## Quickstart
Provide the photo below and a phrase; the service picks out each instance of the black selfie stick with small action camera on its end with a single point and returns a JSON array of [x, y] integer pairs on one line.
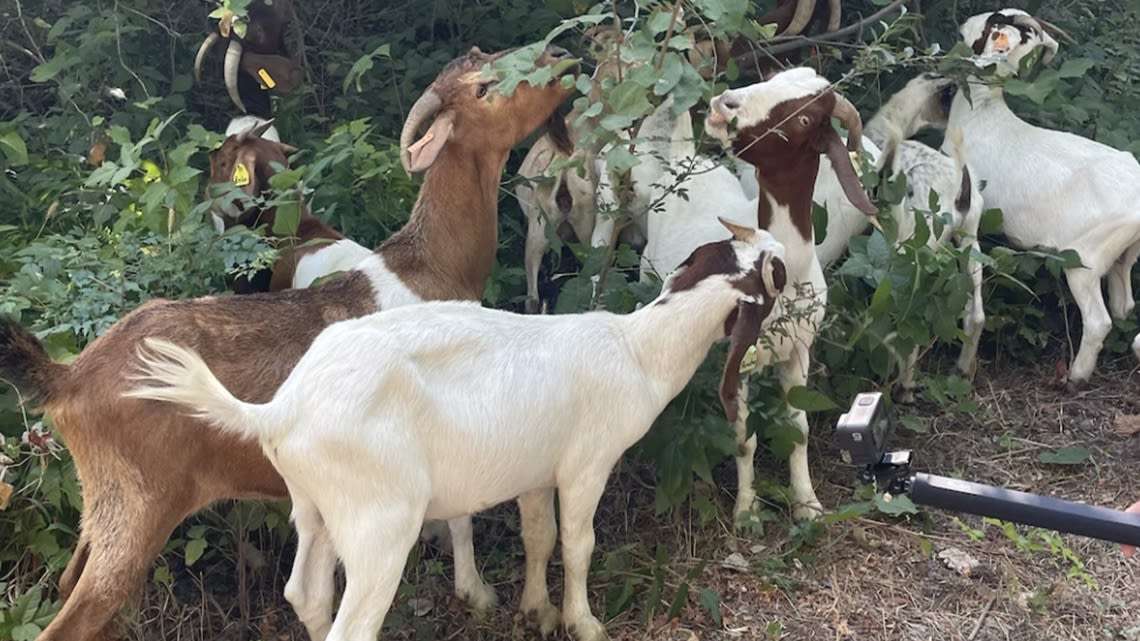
[[864, 433]]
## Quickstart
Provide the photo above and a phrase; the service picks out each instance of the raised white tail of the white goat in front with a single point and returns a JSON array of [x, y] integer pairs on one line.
[[184, 379]]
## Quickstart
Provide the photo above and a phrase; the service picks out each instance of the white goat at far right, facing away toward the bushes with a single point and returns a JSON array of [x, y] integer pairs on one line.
[[1056, 190]]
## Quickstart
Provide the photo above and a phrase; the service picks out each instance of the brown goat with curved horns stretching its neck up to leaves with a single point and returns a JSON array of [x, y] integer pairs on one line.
[[145, 468]]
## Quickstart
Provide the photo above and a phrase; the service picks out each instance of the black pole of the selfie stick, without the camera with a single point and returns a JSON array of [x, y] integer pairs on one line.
[[1023, 508]]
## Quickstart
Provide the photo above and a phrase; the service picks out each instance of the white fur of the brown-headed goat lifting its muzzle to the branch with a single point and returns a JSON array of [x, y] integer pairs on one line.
[[682, 224]]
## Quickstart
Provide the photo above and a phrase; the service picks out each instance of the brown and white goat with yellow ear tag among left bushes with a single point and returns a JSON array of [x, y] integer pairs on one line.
[[314, 250]]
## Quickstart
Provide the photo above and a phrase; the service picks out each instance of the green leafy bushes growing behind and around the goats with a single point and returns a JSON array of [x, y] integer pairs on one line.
[[83, 246]]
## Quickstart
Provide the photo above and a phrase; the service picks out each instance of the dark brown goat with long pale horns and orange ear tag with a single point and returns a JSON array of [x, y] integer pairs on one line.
[[262, 56]]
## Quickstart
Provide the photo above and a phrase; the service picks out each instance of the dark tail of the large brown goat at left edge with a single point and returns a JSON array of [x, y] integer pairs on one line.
[[26, 366]]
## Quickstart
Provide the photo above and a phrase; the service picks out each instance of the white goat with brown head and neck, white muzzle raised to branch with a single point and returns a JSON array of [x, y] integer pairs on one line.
[[788, 174]]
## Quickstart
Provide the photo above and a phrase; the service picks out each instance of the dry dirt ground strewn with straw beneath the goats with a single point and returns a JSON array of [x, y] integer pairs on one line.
[[868, 578]]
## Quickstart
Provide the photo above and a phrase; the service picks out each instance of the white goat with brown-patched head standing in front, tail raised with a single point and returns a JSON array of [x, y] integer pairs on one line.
[[365, 428]]
